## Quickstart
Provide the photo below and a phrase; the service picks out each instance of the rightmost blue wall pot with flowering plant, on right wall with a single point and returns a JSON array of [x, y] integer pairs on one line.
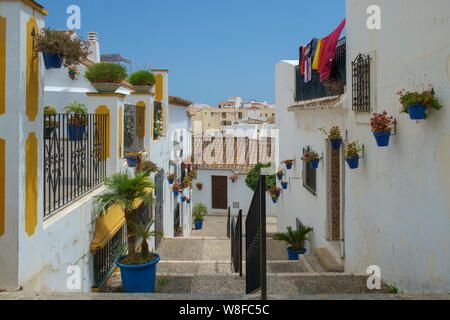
[[416, 104]]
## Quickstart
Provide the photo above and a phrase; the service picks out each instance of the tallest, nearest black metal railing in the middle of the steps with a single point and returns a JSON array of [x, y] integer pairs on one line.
[[255, 238]]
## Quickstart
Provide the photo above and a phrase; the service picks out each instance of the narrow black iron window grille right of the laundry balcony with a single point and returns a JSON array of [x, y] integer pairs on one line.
[[361, 83]]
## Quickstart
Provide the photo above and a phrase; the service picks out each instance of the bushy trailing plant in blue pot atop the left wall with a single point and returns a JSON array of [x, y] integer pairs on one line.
[[60, 47]]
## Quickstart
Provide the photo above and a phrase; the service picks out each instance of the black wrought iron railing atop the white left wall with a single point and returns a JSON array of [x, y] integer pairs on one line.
[[75, 153]]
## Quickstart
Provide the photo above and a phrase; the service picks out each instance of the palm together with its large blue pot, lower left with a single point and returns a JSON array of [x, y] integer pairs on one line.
[[138, 271]]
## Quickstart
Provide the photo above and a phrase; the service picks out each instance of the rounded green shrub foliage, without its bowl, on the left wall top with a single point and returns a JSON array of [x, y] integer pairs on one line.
[[106, 72]]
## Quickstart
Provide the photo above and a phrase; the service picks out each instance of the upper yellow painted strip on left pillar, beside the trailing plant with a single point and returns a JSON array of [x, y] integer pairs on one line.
[[32, 80]]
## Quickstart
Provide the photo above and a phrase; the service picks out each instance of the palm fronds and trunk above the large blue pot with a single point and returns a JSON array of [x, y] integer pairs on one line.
[[122, 189]]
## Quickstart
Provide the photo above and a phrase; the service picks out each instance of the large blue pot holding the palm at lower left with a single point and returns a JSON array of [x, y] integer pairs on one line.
[[138, 279]]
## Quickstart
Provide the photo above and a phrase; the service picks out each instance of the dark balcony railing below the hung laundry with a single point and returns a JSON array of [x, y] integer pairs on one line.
[[333, 86]]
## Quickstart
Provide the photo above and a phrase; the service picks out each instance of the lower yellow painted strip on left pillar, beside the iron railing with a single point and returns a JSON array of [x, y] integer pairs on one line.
[[31, 183]]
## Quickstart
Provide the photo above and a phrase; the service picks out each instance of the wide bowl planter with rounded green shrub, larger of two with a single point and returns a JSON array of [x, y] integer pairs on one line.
[[106, 76]]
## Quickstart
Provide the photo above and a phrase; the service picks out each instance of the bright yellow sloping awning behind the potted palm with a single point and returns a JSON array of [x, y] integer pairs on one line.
[[108, 224]]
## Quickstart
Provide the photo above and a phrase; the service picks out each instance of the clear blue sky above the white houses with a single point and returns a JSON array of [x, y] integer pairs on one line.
[[214, 49]]
